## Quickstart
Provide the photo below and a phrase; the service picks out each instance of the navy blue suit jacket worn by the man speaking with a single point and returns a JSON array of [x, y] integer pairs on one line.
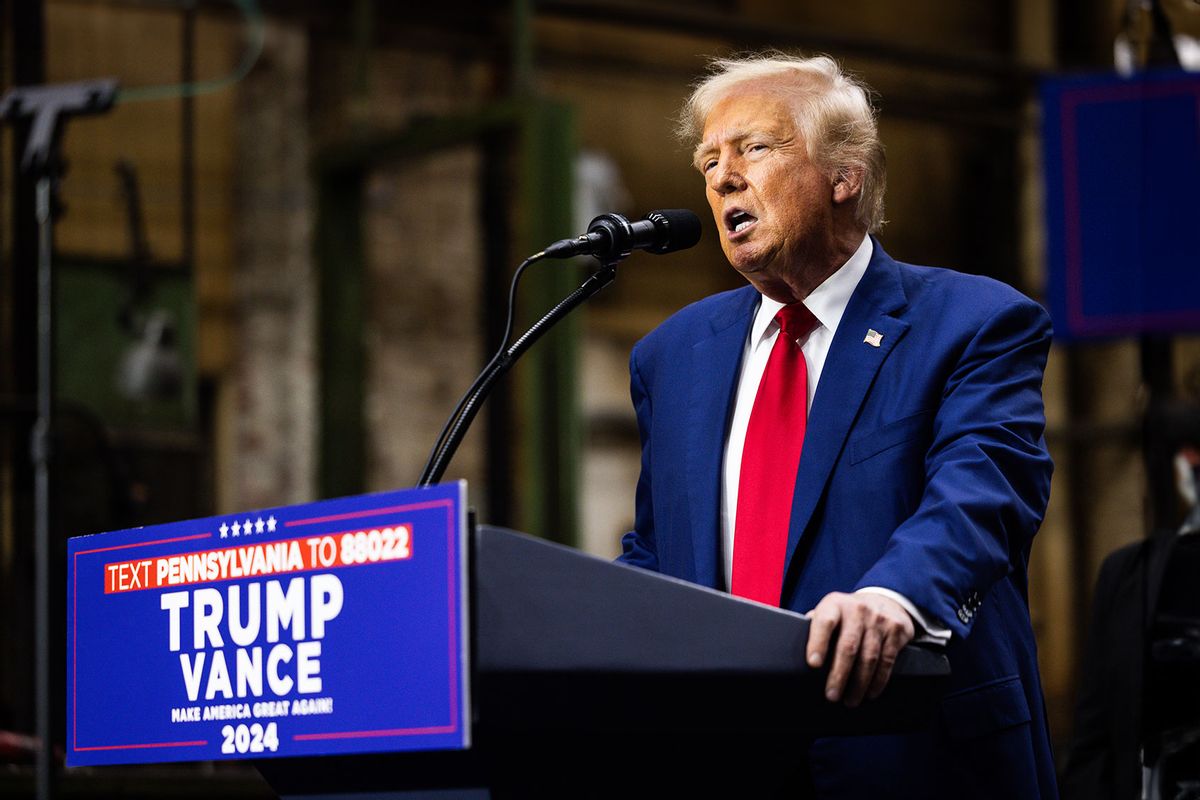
[[925, 471]]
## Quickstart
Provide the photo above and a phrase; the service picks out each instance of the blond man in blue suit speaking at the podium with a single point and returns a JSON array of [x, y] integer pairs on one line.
[[851, 437]]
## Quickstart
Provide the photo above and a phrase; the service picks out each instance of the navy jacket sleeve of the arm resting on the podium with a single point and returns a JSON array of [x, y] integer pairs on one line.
[[987, 474]]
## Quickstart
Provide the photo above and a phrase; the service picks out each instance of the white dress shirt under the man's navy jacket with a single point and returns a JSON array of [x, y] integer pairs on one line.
[[827, 303]]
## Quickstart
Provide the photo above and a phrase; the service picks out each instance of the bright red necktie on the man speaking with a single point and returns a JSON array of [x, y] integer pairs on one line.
[[770, 460]]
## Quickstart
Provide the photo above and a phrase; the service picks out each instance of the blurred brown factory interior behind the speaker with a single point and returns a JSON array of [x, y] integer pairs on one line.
[[284, 255]]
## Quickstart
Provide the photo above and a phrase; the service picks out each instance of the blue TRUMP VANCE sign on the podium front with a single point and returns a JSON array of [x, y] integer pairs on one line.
[[328, 628]]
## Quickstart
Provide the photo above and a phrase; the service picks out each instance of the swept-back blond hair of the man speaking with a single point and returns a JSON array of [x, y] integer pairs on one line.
[[833, 112]]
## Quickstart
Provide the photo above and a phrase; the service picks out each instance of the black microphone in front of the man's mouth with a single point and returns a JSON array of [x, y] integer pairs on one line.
[[611, 237]]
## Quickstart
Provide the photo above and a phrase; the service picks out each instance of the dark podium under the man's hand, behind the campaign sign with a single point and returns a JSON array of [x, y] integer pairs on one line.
[[597, 679]]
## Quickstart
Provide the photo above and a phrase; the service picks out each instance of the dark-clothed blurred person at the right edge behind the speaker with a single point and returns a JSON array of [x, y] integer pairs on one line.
[[1141, 672]]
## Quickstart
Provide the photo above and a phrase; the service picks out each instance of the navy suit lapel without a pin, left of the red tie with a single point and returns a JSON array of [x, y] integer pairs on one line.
[[716, 365]]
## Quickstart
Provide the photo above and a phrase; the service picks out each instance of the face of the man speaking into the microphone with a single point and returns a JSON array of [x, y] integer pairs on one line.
[[772, 206]]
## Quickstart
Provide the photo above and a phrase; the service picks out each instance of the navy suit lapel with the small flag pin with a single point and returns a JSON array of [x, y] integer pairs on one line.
[[847, 380]]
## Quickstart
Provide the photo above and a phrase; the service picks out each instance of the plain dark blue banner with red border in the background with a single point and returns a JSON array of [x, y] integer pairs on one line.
[[1123, 179]]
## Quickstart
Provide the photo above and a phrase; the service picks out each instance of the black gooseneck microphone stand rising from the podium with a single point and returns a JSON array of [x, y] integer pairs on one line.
[[470, 407]]
